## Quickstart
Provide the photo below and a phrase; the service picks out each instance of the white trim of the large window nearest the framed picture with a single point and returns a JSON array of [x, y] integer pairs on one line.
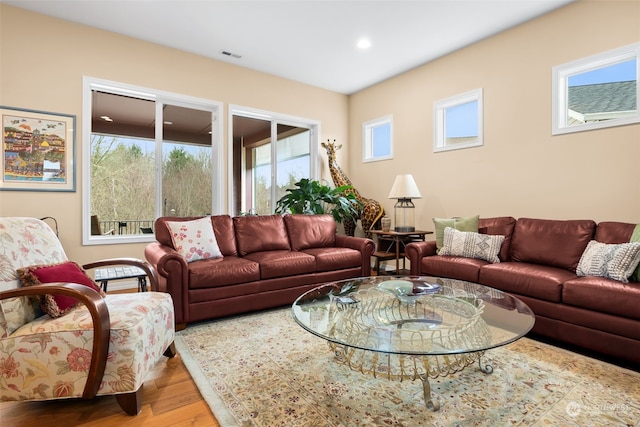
[[89, 84]]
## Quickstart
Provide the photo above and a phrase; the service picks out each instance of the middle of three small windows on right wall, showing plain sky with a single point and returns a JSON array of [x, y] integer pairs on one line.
[[458, 122]]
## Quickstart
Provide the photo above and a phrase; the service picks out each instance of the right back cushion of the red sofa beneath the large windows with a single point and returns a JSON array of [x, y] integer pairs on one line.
[[310, 231]]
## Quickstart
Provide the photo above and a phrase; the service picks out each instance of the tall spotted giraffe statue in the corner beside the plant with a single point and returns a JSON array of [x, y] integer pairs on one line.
[[370, 211]]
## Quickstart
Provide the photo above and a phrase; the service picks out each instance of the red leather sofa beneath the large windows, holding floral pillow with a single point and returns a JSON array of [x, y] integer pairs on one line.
[[268, 261]]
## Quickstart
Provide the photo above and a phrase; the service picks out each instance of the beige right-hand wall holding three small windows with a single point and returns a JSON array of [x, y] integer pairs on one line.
[[522, 170]]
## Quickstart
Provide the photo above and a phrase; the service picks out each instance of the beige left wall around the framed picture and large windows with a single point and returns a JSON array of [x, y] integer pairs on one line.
[[43, 61]]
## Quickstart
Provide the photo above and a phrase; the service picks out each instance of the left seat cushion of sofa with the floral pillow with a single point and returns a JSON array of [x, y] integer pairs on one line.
[[218, 272]]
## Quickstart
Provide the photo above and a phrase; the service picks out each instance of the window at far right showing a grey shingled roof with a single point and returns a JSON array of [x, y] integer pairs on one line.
[[596, 92]]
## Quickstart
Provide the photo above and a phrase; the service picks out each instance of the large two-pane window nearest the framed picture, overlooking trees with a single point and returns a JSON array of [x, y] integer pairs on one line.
[[146, 154]]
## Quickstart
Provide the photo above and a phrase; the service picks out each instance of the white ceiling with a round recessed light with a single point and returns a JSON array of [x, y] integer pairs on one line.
[[310, 41]]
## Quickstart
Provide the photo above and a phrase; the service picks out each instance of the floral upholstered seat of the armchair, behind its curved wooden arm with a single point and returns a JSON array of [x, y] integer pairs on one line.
[[57, 350]]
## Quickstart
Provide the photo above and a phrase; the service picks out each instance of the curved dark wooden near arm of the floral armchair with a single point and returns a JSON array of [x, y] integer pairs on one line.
[[101, 323]]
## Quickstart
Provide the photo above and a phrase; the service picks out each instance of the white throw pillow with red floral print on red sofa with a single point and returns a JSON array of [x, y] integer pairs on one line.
[[195, 239]]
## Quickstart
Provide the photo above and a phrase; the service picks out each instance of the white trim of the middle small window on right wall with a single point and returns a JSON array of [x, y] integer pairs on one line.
[[439, 117]]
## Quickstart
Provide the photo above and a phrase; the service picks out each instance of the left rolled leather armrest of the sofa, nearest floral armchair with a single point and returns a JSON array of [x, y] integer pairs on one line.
[[173, 276]]
